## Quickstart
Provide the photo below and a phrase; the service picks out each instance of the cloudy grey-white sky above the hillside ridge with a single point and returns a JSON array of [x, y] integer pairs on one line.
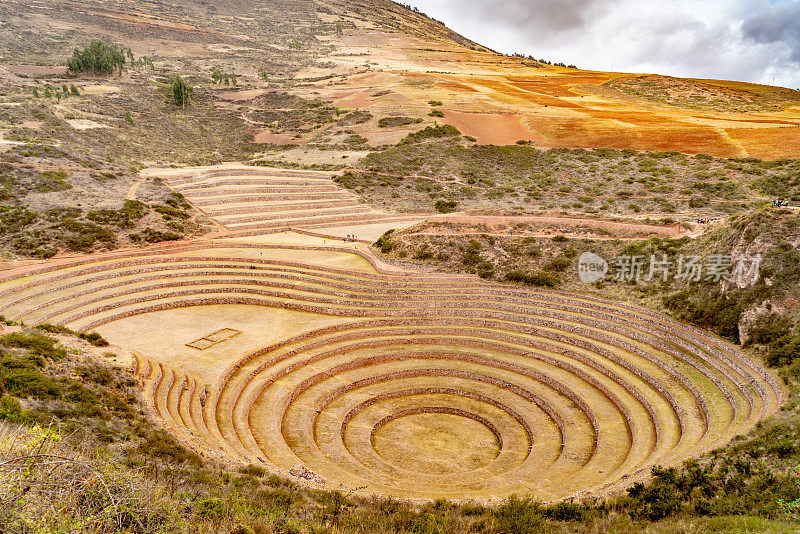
[[750, 40]]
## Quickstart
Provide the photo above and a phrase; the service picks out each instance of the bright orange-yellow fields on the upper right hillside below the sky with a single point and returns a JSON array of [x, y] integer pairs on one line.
[[501, 100]]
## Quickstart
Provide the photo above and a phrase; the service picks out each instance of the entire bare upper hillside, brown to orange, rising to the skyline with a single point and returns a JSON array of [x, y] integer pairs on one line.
[[348, 52]]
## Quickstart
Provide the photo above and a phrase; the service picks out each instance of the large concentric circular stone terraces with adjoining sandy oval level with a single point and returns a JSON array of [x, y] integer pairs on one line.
[[408, 384]]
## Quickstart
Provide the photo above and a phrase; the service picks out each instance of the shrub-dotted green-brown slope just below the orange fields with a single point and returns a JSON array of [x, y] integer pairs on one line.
[[524, 179]]
